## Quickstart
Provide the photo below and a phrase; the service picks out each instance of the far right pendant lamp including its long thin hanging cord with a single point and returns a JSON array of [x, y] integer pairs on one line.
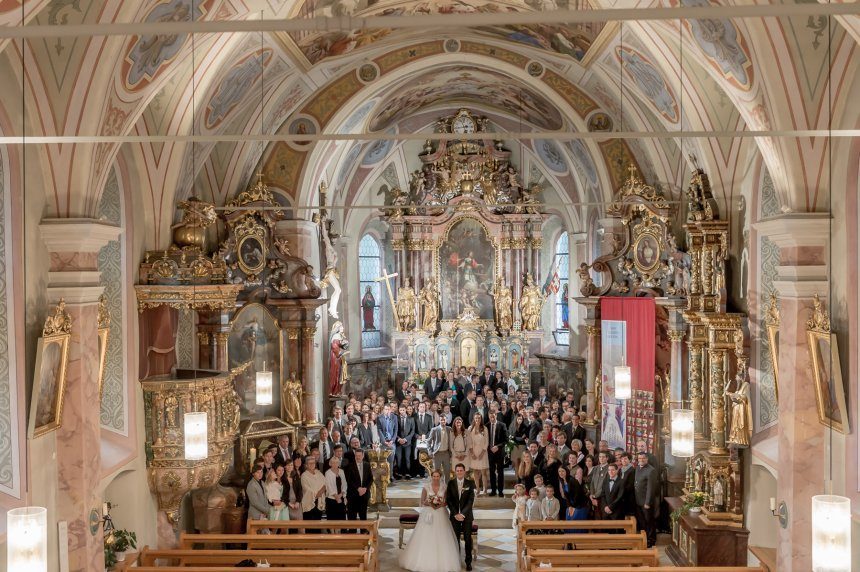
[[831, 514]]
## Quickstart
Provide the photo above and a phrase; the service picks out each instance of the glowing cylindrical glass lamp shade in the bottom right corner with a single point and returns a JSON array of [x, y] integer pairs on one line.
[[831, 534]]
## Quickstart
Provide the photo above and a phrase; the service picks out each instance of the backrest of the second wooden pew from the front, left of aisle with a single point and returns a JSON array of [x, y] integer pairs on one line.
[[279, 541]]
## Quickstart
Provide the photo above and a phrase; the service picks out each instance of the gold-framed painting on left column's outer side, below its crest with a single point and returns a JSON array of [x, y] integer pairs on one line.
[[49, 385]]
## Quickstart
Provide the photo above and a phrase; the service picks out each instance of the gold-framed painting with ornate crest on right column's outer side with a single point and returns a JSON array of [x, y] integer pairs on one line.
[[827, 371]]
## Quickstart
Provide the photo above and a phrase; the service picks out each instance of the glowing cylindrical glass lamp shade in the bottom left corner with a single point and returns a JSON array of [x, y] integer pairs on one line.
[[27, 539]]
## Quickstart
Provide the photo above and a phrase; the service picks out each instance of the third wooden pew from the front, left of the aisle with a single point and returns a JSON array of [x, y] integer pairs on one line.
[[306, 559]]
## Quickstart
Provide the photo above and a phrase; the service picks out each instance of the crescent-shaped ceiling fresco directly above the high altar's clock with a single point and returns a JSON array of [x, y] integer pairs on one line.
[[468, 85]]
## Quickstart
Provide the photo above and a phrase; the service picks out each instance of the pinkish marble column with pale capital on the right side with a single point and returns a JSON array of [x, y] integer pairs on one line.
[[802, 240]]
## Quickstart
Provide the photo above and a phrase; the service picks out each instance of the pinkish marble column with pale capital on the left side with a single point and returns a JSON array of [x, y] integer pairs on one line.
[[73, 245]]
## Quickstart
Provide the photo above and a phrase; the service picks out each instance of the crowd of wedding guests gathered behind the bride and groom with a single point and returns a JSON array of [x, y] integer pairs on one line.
[[486, 421]]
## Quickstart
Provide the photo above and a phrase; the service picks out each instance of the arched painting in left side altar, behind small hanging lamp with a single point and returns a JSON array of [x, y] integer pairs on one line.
[[255, 337]]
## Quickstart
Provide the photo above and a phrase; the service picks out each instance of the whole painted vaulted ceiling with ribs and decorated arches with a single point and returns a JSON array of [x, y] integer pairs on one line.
[[719, 74]]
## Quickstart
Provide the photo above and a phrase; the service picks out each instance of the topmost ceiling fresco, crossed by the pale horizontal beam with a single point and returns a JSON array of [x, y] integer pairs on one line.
[[570, 40]]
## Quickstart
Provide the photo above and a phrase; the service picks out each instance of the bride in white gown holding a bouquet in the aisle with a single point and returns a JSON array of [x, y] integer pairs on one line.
[[433, 546]]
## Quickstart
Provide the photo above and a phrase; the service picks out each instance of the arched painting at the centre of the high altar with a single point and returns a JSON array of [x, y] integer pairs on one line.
[[467, 271]]
